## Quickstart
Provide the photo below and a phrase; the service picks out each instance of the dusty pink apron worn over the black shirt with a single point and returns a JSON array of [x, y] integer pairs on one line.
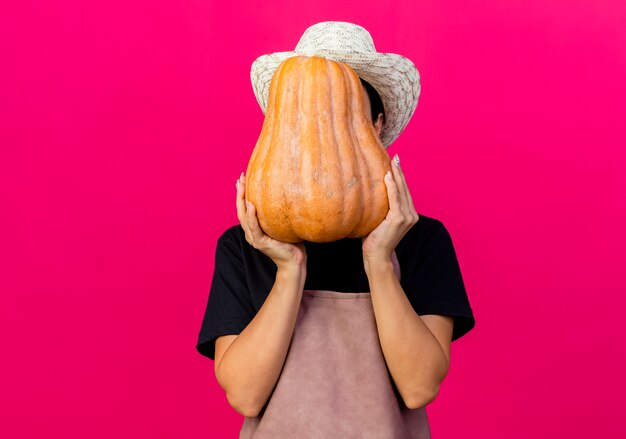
[[335, 382]]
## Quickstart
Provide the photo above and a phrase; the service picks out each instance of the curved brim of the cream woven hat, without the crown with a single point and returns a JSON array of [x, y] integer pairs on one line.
[[395, 78]]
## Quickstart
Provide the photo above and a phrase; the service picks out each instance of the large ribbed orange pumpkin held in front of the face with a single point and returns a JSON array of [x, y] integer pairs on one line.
[[316, 171]]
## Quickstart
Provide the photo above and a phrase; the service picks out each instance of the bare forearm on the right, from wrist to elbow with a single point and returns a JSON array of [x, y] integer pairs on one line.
[[413, 354]]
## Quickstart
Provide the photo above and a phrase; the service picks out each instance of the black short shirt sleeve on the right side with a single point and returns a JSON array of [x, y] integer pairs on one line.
[[433, 280]]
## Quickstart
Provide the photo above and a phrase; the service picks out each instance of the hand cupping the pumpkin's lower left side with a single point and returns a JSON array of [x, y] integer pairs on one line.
[[283, 254]]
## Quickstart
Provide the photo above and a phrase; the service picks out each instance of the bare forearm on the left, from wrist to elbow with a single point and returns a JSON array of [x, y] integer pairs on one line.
[[252, 363]]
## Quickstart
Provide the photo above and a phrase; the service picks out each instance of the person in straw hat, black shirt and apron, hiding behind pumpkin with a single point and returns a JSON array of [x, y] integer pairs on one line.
[[343, 339]]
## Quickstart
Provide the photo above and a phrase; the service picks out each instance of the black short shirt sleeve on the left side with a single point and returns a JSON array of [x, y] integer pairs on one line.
[[229, 307]]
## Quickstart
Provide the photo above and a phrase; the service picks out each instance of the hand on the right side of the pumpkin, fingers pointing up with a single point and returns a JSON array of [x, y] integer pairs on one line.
[[382, 241]]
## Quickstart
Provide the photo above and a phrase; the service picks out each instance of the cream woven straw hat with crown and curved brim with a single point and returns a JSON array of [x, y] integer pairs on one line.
[[395, 78]]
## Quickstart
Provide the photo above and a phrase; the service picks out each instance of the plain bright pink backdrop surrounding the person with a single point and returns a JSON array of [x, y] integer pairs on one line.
[[125, 124]]
